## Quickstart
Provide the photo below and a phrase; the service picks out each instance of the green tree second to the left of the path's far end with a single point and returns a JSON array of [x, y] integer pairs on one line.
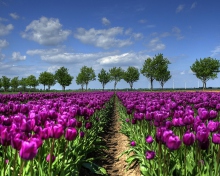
[[86, 75]]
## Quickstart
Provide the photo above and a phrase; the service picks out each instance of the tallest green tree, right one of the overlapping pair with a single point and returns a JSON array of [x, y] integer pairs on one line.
[[162, 74]]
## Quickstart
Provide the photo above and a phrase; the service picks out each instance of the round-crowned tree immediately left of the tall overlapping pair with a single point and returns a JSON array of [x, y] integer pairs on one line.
[[131, 75]]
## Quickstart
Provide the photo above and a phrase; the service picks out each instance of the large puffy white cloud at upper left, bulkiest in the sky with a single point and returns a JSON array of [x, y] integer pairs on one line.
[[46, 31]]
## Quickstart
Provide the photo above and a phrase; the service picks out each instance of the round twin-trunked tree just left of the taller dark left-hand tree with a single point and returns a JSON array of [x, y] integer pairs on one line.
[[46, 78]]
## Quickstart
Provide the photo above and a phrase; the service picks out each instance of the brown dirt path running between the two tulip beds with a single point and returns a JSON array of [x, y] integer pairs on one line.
[[116, 143]]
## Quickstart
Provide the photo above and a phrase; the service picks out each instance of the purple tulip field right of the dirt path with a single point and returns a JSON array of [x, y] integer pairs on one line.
[[174, 133]]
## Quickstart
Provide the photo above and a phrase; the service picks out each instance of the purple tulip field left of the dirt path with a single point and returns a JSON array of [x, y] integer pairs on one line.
[[51, 134]]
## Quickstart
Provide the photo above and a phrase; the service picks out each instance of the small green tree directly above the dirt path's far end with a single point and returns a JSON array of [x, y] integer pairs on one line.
[[116, 74]]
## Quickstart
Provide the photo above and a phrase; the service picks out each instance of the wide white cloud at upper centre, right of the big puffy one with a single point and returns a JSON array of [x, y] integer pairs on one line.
[[102, 38]]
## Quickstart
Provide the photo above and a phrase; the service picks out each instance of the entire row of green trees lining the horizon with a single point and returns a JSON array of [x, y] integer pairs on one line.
[[155, 68]]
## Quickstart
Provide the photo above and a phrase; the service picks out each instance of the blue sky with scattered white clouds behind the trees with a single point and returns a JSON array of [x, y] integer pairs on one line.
[[44, 35]]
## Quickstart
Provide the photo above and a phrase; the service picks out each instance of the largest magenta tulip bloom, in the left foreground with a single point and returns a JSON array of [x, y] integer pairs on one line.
[[28, 150]]
